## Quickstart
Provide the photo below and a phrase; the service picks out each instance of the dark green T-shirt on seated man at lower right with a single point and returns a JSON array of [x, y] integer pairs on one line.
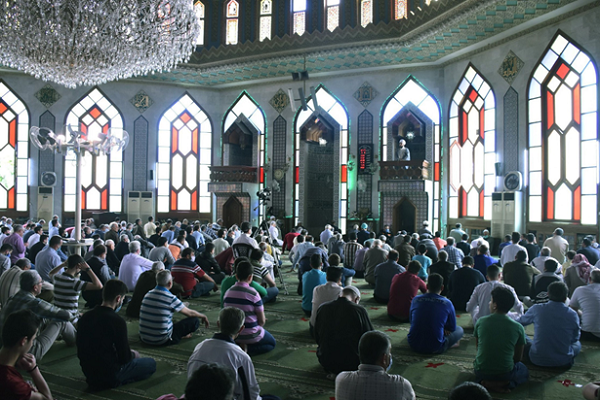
[[497, 336]]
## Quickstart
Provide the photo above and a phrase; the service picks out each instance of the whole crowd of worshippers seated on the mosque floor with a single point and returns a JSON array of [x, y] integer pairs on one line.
[[156, 266]]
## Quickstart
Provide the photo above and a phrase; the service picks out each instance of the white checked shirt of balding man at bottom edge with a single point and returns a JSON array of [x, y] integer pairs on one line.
[[371, 382]]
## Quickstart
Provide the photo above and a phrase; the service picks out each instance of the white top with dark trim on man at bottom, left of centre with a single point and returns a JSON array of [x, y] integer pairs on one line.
[[230, 355]]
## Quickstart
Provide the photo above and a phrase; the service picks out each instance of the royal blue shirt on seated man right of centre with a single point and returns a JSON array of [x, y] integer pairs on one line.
[[430, 314]]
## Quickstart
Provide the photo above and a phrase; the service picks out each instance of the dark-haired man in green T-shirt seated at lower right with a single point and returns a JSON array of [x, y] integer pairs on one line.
[[500, 342]]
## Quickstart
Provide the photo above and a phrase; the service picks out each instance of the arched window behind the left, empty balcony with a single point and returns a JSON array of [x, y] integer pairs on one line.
[[246, 107]]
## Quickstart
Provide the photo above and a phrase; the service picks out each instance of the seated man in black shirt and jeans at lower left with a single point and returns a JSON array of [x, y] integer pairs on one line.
[[103, 349]]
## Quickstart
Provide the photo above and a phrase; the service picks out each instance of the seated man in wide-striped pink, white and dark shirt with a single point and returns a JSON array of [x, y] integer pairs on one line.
[[242, 296]]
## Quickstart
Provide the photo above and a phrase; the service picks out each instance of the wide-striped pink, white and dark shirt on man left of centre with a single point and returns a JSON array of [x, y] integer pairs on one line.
[[242, 296]]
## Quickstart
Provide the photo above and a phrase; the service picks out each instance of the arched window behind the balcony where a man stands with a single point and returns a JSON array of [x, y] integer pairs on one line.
[[411, 95]]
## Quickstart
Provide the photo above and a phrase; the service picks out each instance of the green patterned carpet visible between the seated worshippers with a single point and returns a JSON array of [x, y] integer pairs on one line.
[[292, 371]]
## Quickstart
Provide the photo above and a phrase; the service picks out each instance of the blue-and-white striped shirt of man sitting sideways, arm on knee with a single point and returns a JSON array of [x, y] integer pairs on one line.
[[156, 315]]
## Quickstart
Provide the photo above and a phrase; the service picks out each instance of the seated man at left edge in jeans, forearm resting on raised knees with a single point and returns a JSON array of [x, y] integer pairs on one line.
[[55, 321]]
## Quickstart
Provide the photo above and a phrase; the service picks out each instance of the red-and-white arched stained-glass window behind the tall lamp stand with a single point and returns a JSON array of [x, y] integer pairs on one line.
[[101, 175]]
